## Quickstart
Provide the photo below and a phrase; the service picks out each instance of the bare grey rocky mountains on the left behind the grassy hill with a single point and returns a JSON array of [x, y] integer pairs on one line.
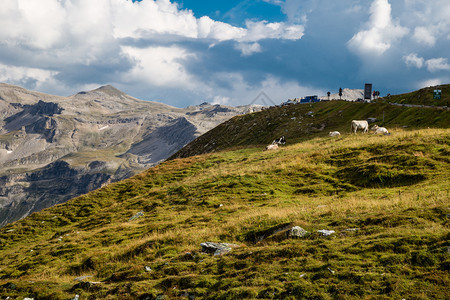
[[55, 148]]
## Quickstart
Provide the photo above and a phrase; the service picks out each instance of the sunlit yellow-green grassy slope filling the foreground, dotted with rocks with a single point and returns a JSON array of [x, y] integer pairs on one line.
[[386, 198]]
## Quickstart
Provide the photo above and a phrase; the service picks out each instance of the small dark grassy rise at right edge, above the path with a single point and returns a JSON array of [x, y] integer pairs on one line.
[[422, 97]]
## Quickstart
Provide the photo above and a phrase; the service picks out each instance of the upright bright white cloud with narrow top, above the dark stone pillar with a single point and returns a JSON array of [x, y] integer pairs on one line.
[[380, 33]]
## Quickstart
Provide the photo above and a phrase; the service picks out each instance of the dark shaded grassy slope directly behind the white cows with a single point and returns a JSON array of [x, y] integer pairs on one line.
[[302, 122]]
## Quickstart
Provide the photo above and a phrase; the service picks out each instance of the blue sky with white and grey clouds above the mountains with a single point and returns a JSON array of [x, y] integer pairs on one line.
[[184, 52]]
